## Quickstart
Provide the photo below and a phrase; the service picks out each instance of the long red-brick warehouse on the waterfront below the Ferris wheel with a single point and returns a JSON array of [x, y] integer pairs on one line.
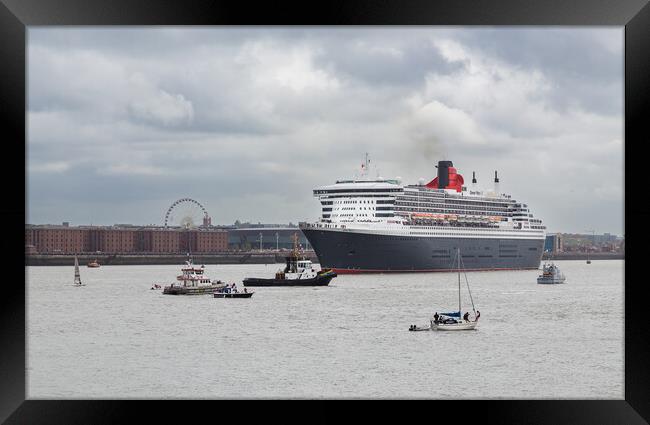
[[49, 239]]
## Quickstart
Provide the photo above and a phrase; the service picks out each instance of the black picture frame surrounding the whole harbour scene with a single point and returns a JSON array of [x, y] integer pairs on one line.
[[17, 15]]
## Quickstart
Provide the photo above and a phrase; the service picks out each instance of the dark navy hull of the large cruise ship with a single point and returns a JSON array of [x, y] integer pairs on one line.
[[348, 252]]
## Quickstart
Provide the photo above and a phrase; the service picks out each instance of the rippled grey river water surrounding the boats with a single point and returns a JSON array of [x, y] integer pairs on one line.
[[116, 338]]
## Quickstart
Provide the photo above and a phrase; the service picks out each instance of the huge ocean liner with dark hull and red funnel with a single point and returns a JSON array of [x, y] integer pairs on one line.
[[381, 225]]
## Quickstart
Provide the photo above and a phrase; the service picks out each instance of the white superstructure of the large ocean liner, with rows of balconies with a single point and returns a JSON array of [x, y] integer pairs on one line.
[[387, 206]]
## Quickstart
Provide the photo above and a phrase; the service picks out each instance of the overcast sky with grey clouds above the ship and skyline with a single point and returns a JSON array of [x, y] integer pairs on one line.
[[248, 120]]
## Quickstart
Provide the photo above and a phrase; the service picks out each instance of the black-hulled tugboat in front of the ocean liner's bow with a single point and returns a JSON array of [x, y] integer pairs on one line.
[[299, 271]]
